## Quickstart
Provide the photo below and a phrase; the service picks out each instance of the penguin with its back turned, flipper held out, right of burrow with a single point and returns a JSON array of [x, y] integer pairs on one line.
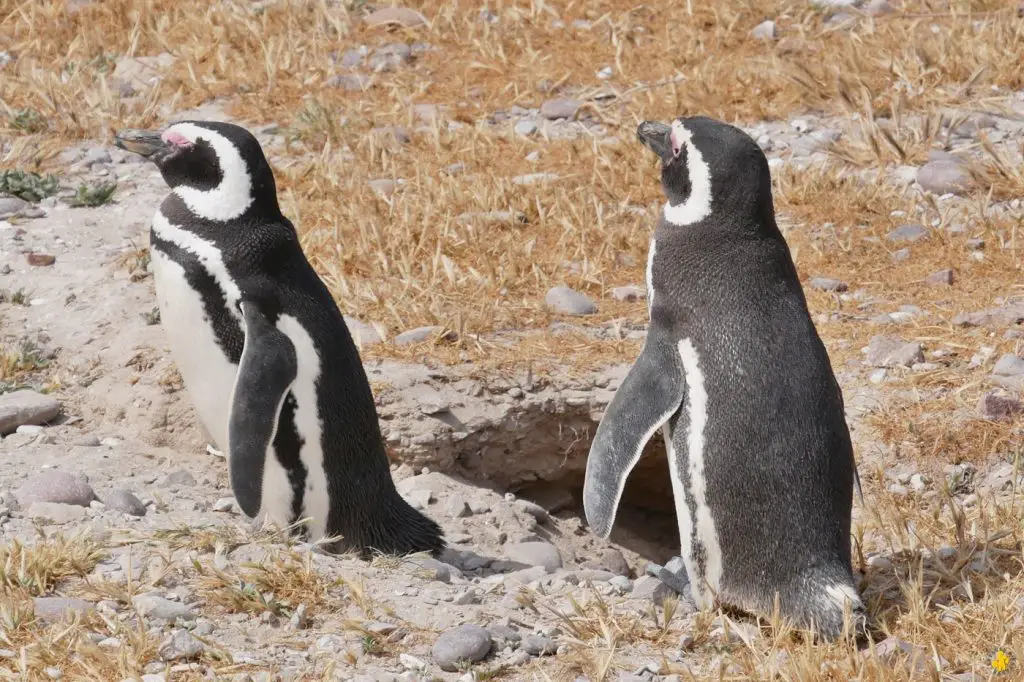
[[735, 375]]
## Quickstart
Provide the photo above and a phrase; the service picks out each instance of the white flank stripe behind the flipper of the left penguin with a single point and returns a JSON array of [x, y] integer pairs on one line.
[[316, 499]]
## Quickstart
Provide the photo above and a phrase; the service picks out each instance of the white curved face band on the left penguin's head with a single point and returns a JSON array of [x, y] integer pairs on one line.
[[234, 196]]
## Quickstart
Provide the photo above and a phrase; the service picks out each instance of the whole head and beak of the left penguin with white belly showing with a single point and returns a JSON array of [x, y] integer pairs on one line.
[[218, 169]]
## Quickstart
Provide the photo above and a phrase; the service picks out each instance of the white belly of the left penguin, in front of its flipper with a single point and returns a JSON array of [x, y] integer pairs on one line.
[[206, 371]]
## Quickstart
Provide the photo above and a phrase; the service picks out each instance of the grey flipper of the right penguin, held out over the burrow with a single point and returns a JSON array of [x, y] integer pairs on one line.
[[653, 392]]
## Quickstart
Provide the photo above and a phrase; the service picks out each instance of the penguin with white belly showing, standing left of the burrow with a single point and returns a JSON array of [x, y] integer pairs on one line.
[[264, 350]]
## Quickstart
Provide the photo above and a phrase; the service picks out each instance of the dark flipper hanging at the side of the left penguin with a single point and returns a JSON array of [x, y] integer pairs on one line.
[[267, 370]]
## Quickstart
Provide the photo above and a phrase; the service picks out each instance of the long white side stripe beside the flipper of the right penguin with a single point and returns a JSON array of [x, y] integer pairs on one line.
[[697, 406]]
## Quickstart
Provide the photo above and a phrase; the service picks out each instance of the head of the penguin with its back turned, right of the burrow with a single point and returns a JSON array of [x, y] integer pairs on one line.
[[710, 167]]
